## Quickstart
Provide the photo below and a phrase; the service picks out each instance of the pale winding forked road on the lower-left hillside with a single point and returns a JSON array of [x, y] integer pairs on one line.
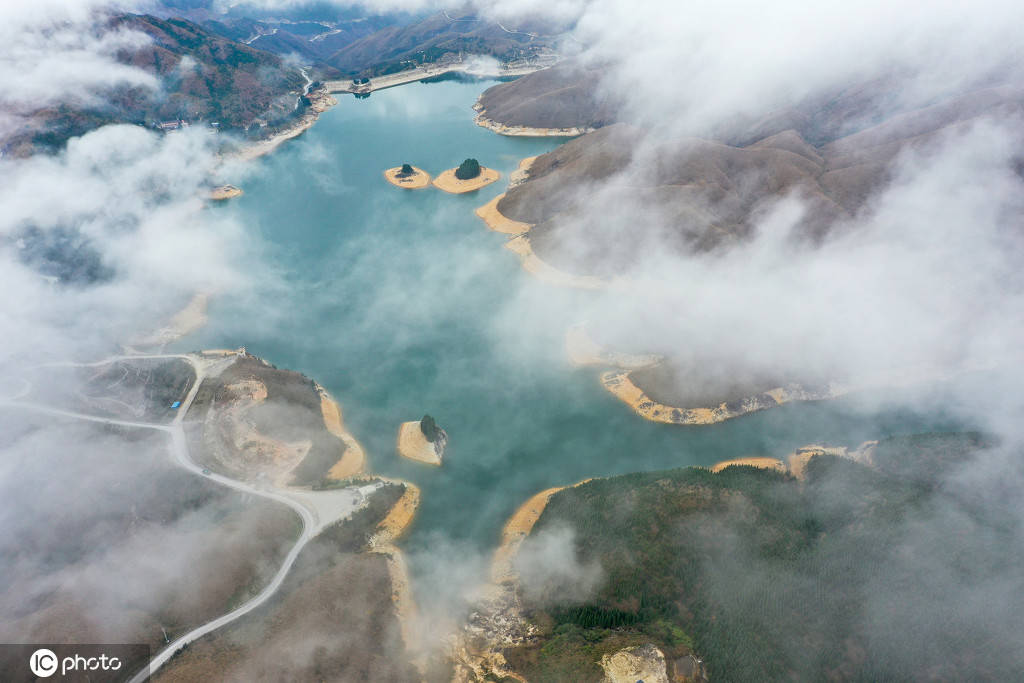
[[304, 504]]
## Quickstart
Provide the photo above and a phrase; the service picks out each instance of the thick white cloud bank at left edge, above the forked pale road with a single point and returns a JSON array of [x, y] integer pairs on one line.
[[130, 200]]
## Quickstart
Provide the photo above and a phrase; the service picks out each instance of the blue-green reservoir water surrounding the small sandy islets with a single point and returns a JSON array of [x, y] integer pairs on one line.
[[402, 303]]
